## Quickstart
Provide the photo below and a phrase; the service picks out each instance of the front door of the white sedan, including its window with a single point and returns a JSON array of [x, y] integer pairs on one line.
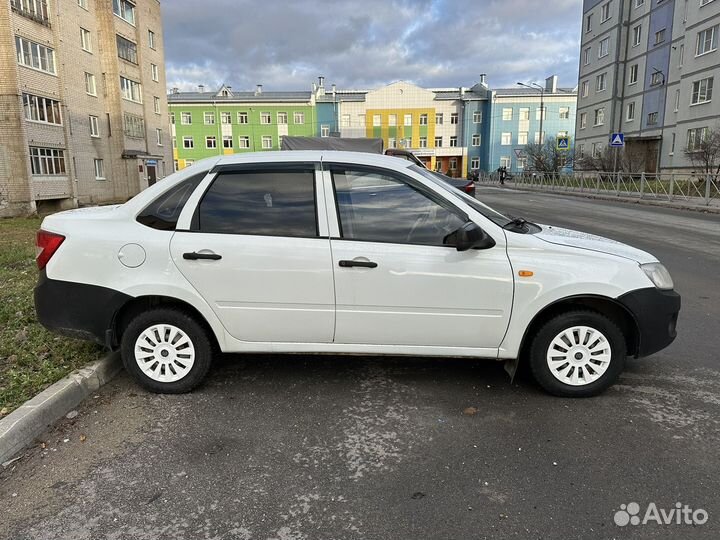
[[397, 281]]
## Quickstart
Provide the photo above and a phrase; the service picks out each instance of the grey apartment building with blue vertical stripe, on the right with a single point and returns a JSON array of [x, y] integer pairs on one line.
[[647, 69]]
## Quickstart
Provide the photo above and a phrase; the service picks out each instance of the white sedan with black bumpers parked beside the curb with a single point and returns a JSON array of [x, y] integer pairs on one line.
[[342, 252]]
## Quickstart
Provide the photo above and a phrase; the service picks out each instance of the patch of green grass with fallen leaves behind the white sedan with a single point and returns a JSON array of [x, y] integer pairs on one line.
[[31, 358]]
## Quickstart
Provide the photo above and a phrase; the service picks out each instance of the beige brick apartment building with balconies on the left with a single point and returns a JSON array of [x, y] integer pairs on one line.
[[83, 100]]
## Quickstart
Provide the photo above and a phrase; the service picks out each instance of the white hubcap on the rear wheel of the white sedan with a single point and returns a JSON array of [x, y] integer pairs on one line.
[[164, 353]]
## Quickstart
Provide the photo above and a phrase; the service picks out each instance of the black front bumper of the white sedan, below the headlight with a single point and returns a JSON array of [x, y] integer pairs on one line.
[[655, 313]]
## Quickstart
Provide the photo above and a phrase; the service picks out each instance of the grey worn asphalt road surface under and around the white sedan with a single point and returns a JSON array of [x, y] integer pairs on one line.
[[322, 447]]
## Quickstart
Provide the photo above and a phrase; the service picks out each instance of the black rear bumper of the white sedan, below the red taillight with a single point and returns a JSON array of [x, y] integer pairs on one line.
[[77, 310]]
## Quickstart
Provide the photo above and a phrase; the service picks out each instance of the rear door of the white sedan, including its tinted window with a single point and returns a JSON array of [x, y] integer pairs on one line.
[[254, 250]]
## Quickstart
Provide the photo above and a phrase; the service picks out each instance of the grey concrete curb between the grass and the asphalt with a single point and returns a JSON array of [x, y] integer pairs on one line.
[[20, 427]]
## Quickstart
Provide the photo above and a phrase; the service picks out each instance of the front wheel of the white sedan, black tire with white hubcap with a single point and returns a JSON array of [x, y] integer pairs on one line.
[[577, 354]]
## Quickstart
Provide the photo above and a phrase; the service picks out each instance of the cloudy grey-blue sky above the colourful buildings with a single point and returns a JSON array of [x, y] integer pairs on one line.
[[285, 45]]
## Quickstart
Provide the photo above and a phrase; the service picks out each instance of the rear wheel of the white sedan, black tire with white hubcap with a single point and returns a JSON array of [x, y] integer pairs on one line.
[[166, 351]]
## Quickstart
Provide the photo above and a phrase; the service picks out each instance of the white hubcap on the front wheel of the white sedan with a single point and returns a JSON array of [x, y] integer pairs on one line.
[[579, 355]]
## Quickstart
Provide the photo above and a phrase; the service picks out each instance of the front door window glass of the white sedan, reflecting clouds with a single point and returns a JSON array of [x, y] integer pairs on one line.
[[378, 207]]
